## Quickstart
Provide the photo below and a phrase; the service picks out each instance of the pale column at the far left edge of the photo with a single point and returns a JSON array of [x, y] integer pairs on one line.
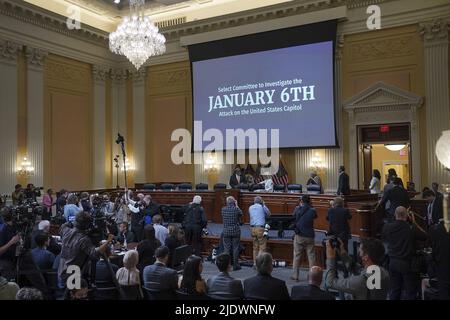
[[8, 111]]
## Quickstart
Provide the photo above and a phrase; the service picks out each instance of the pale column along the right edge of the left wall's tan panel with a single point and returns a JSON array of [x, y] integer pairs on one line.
[[99, 75]]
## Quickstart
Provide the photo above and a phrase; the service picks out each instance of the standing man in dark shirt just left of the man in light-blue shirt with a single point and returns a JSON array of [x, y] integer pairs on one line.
[[231, 215]]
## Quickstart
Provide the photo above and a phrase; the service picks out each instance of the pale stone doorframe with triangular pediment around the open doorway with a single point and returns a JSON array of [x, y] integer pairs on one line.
[[383, 104]]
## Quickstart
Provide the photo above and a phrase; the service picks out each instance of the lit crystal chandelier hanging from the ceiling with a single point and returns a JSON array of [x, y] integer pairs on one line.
[[137, 37]]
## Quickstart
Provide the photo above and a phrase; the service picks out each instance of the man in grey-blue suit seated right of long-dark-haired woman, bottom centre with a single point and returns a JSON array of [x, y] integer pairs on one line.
[[223, 286]]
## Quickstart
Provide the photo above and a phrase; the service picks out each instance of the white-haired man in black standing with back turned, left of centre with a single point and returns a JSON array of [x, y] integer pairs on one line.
[[193, 224]]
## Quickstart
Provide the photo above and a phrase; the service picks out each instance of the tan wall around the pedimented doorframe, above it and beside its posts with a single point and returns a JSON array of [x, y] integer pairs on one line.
[[394, 56]]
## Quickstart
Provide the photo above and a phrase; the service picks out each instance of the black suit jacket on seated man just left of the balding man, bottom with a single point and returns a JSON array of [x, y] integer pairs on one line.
[[265, 287]]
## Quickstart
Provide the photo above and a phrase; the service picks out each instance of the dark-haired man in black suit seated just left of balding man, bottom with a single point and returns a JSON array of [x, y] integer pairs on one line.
[[263, 286]]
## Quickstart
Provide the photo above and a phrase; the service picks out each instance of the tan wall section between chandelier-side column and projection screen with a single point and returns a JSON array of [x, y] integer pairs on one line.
[[168, 107]]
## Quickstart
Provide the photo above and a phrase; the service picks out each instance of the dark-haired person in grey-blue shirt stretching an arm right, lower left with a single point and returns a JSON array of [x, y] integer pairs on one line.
[[77, 247]]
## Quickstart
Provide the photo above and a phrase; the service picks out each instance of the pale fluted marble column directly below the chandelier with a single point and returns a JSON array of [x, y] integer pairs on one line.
[[139, 125]]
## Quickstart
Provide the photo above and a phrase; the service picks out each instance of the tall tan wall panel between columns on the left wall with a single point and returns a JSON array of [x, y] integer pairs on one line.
[[68, 124]]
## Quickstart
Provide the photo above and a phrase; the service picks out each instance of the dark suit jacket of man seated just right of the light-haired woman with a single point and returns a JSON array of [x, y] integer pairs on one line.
[[158, 277]]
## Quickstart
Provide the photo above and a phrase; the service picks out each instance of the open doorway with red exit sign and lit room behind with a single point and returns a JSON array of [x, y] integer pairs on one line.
[[383, 148]]
